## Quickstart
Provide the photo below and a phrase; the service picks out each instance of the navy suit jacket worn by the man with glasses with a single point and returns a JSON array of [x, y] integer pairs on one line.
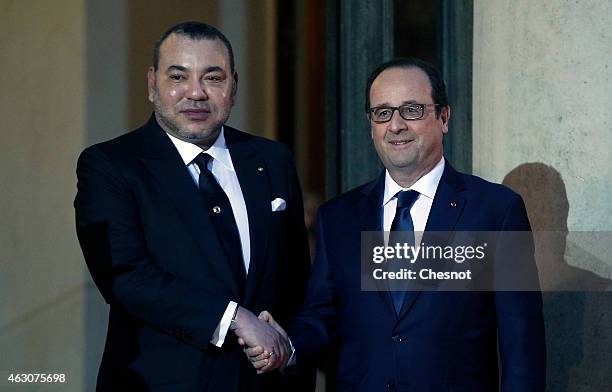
[[440, 341]]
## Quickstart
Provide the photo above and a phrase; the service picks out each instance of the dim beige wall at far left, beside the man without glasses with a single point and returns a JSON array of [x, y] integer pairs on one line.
[[42, 107]]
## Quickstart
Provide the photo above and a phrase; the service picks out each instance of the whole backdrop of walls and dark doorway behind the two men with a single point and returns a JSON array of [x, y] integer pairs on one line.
[[530, 86]]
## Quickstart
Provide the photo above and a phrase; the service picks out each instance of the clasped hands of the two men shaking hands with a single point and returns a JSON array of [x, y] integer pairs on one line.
[[266, 343]]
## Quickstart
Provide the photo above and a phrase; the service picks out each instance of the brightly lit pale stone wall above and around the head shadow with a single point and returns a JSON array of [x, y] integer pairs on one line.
[[542, 93]]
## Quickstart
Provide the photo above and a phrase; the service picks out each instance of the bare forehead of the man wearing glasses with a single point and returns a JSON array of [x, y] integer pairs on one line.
[[395, 86]]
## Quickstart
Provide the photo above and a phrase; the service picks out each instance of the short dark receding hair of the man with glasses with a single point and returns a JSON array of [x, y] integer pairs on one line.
[[438, 88]]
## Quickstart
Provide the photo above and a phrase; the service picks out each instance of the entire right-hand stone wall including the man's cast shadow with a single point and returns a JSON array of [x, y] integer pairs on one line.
[[542, 123]]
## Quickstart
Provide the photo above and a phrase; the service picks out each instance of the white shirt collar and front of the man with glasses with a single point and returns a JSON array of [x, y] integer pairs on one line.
[[419, 212]]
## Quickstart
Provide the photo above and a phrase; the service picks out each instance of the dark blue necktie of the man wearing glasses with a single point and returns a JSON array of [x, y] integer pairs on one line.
[[402, 231]]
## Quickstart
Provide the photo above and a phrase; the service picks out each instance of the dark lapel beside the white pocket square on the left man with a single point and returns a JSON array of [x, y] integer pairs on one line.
[[253, 179]]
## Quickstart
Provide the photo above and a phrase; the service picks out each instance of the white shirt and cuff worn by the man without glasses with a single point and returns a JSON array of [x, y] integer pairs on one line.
[[223, 170]]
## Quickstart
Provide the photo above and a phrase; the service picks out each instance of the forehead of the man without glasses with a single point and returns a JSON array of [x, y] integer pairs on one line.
[[181, 50]]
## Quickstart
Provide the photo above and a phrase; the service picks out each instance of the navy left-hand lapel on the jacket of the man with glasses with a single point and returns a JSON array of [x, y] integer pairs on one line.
[[369, 213]]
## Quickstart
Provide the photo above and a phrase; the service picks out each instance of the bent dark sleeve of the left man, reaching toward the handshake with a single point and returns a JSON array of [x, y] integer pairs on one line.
[[113, 243]]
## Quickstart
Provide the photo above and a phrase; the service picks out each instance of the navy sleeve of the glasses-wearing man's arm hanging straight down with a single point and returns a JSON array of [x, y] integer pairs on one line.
[[520, 321]]
